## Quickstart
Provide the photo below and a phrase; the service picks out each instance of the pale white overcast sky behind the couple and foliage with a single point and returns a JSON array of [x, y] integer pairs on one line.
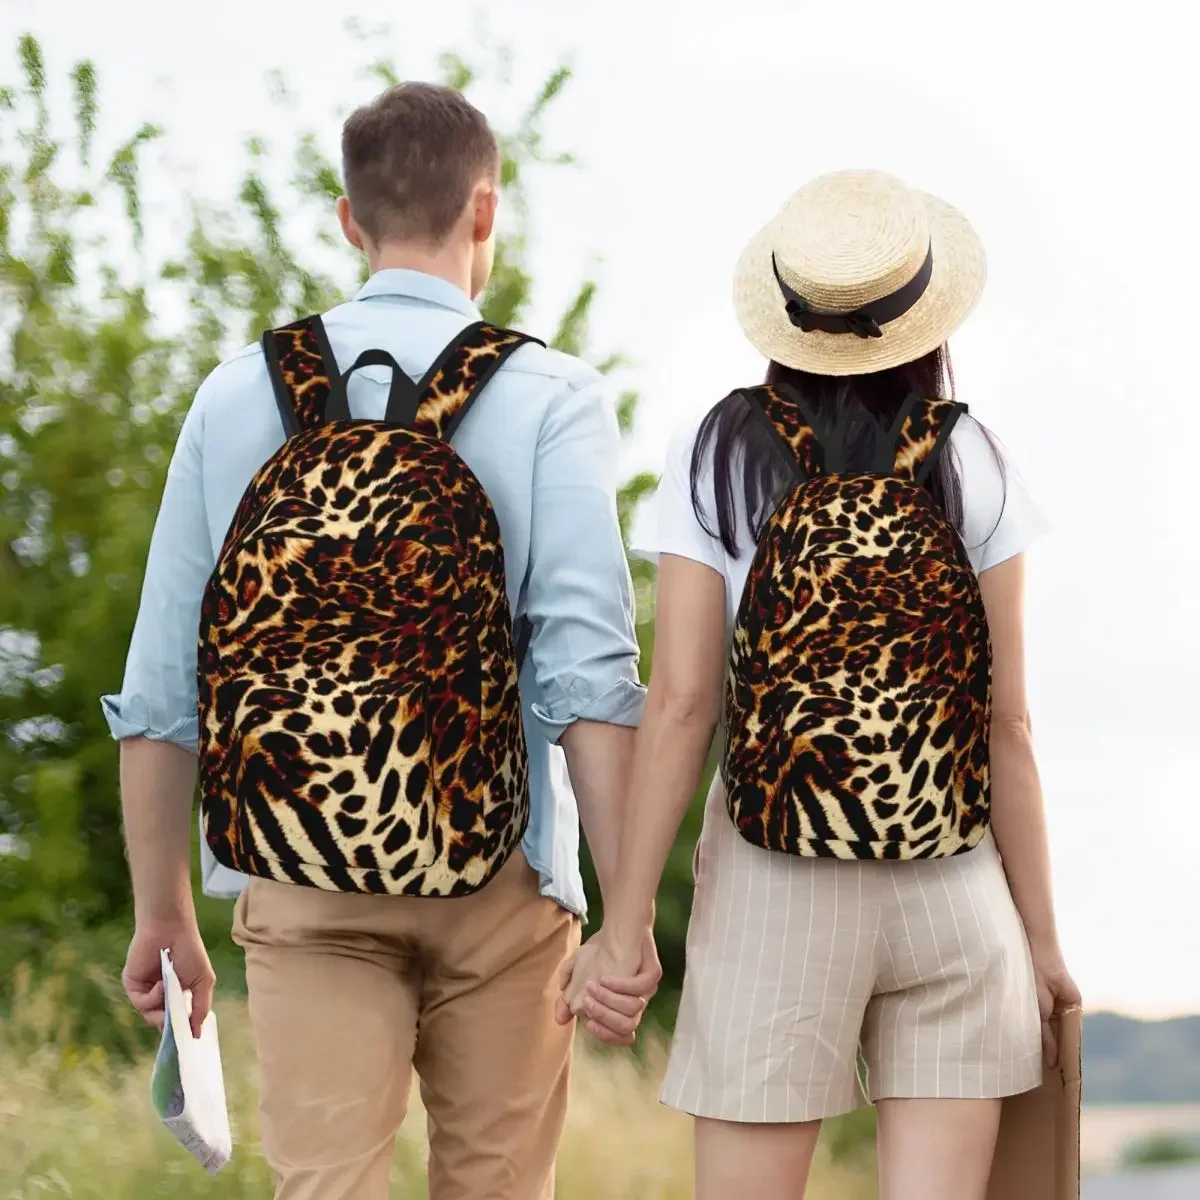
[[1069, 140]]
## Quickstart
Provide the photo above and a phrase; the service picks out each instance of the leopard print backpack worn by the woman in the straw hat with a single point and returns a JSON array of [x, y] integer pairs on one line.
[[859, 693]]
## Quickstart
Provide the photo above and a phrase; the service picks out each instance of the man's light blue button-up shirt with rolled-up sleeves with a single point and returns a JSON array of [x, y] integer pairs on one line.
[[544, 443]]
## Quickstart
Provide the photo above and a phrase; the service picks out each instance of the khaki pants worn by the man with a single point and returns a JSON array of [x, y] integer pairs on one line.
[[350, 993]]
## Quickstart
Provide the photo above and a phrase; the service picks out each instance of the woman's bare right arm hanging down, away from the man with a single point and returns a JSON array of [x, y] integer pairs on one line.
[[1018, 815]]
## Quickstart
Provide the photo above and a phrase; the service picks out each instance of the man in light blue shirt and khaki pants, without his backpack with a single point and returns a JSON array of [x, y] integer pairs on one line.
[[350, 992]]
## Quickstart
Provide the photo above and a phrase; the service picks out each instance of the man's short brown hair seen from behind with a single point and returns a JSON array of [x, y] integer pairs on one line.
[[411, 160]]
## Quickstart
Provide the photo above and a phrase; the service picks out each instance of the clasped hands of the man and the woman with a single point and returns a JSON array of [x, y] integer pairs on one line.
[[610, 988]]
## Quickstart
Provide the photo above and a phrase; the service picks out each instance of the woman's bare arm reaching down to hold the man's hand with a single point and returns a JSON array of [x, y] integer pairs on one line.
[[682, 709]]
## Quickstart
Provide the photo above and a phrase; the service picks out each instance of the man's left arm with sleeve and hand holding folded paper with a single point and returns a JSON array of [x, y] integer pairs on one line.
[[155, 721]]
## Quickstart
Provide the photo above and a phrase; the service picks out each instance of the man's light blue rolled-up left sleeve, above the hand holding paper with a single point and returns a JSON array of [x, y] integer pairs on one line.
[[159, 695]]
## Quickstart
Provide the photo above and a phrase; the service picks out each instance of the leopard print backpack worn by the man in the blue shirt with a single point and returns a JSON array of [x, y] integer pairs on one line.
[[361, 723]]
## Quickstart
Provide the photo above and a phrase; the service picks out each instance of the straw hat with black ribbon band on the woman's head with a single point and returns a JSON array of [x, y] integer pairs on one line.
[[859, 273]]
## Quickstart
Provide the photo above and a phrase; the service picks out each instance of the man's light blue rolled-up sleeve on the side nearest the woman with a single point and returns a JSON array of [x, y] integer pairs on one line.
[[579, 595]]
